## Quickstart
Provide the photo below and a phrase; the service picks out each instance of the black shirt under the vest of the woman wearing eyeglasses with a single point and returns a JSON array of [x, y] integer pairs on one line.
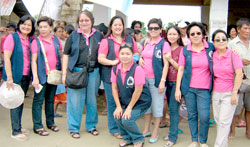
[[82, 58]]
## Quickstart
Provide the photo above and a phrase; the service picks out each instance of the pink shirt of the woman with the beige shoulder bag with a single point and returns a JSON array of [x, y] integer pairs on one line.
[[49, 49]]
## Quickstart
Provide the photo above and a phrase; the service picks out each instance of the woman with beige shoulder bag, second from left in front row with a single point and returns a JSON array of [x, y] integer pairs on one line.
[[52, 46]]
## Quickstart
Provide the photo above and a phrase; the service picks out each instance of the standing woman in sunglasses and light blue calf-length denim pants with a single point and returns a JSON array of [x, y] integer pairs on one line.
[[156, 68]]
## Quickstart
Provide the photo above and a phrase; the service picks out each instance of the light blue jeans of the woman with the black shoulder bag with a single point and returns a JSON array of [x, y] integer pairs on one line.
[[77, 98]]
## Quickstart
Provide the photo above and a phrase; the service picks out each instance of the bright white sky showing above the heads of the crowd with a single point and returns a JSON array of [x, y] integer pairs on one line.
[[168, 13]]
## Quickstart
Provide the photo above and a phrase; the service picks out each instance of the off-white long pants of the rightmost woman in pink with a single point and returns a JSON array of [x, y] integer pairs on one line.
[[223, 115]]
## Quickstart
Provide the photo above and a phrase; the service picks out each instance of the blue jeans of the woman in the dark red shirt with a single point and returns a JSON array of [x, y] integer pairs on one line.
[[173, 111]]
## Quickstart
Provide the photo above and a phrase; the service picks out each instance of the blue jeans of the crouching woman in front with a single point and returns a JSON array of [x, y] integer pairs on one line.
[[128, 128]]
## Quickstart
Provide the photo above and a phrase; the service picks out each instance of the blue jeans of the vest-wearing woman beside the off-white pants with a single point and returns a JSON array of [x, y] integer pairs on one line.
[[198, 106]]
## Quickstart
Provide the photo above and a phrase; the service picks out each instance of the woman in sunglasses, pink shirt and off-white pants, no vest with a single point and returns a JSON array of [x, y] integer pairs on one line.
[[227, 67]]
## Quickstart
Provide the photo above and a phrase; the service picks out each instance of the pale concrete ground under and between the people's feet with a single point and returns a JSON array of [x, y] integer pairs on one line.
[[63, 139]]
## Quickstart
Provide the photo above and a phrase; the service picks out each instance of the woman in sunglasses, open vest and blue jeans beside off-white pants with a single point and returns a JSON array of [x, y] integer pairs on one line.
[[194, 82]]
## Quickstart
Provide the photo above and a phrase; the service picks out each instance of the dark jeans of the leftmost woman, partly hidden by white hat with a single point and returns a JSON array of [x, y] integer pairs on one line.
[[16, 113]]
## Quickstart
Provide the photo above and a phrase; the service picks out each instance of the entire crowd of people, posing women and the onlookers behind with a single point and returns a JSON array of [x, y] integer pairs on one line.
[[175, 73]]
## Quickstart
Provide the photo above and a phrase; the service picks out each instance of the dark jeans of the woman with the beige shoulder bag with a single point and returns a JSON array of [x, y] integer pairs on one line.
[[48, 92]]
